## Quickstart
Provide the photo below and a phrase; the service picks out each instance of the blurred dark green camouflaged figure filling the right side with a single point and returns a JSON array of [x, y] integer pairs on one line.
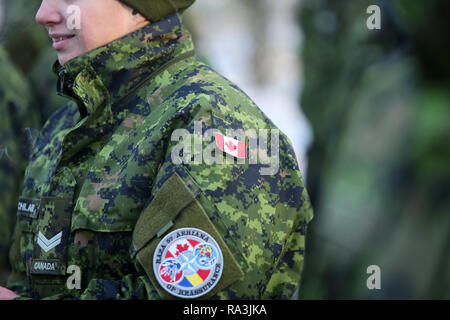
[[378, 173]]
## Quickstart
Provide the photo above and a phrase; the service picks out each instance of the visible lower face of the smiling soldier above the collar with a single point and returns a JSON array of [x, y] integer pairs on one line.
[[79, 26]]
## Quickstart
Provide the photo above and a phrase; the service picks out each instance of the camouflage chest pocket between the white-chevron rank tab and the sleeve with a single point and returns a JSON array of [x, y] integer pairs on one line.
[[104, 216]]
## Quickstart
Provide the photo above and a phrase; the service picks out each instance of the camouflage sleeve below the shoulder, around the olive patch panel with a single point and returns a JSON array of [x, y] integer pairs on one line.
[[261, 218]]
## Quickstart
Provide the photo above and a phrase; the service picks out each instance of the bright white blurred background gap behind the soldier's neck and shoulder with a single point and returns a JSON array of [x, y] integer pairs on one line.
[[259, 51]]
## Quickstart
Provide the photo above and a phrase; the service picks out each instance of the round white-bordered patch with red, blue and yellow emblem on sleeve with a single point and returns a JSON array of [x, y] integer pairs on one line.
[[188, 263]]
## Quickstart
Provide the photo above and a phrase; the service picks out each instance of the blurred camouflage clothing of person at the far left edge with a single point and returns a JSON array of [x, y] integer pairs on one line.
[[15, 127]]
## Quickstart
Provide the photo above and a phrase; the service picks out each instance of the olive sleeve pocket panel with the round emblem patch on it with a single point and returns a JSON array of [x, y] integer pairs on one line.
[[173, 235]]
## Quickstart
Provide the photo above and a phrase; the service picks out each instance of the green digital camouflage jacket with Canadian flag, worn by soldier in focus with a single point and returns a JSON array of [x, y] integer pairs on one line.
[[107, 181]]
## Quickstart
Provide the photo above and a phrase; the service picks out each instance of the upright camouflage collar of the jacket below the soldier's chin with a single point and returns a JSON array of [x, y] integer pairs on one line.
[[106, 75]]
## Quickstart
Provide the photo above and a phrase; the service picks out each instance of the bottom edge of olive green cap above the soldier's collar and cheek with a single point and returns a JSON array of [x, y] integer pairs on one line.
[[155, 10]]
